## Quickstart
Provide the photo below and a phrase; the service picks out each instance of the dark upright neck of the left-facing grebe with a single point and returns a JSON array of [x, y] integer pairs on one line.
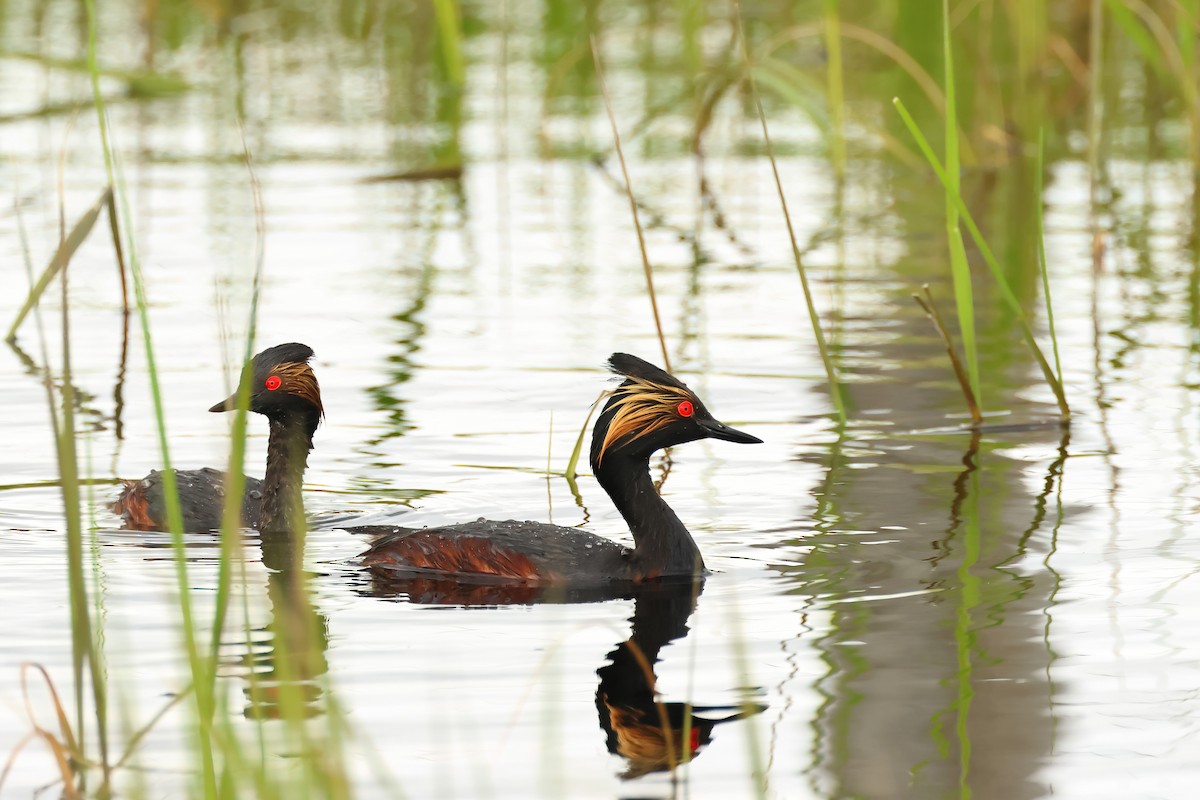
[[287, 458]]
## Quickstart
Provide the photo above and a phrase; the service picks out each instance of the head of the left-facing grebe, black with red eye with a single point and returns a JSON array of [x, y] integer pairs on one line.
[[283, 386]]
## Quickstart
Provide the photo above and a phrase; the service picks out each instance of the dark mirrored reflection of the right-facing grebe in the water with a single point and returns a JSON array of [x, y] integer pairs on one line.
[[650, 735]]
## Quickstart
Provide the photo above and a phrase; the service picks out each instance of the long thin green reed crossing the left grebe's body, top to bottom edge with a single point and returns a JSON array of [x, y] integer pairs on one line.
[[197, 664]]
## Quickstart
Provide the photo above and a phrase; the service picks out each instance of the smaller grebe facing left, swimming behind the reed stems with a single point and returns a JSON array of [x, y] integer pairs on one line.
[[284, 390]]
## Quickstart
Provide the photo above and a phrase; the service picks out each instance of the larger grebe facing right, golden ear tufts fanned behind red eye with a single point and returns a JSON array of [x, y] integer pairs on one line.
[[649, 412]]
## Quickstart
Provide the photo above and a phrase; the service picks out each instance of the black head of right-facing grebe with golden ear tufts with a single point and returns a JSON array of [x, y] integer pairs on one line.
[[653, 410]]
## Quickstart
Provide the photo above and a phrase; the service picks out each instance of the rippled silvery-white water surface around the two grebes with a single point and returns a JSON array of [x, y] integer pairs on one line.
[[919, 612]]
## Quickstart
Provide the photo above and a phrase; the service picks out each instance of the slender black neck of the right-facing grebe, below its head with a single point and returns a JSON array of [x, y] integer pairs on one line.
[[662, 543]]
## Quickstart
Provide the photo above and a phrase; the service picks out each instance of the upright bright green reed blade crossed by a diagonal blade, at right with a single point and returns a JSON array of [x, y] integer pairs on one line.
[[961, 272]]
